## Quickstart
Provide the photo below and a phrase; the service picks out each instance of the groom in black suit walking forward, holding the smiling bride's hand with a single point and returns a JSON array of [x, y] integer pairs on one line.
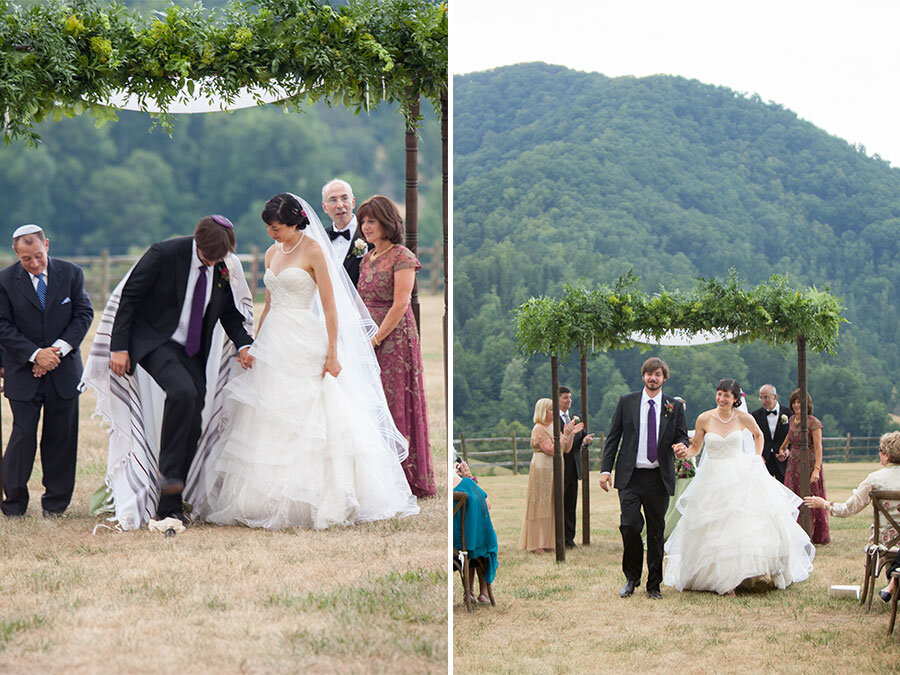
[[646, 428]]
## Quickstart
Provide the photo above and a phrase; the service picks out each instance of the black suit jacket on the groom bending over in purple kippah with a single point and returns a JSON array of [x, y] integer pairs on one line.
[[153, 296]]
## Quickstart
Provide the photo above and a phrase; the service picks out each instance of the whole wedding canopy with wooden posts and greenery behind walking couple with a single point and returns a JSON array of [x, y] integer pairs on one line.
[[621, 316]]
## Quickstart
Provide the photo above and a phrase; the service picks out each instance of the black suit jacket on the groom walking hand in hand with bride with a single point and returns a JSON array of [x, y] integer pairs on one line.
[[620, 448]]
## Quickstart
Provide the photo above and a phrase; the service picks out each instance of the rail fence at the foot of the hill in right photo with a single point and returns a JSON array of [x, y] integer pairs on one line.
[[514, 452]]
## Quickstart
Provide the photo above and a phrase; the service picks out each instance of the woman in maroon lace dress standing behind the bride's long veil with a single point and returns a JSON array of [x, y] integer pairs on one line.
[[386, 277]]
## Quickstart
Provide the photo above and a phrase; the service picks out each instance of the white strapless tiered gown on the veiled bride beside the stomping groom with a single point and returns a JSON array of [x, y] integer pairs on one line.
[[294, 451]]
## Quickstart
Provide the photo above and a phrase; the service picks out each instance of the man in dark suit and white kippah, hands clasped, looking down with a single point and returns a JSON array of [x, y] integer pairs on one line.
[[44, 315]]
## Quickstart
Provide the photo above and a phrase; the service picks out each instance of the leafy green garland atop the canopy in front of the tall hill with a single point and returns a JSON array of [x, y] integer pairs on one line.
[[606, 317]]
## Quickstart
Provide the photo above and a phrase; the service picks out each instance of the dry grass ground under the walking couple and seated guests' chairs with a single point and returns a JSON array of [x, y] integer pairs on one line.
[[562, 618]]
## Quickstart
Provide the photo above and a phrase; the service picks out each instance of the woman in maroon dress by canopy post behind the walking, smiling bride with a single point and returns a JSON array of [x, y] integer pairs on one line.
[[792, 479]]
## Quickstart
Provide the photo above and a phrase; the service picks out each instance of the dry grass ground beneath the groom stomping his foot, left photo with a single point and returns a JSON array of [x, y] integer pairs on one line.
[[227, 599]]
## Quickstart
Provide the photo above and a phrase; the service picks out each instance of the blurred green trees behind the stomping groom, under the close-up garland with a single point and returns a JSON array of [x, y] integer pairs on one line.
[[123, 186]]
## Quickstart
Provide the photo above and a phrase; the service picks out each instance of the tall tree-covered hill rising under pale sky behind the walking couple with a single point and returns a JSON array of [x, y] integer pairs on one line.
[[562, 175]]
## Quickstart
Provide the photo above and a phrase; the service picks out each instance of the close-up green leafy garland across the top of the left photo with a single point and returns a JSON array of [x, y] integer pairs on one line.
[[64, 58]]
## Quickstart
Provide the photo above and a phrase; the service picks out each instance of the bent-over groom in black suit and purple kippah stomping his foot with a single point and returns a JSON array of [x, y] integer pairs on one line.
[[169, 307]]
